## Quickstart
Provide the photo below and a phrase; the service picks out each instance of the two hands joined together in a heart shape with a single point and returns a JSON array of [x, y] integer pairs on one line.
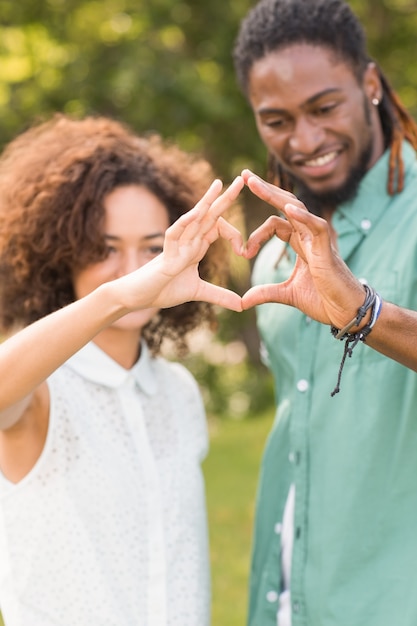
[[321, 285]]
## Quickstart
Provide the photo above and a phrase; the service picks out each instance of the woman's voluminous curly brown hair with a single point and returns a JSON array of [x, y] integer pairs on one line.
[[53, 180]]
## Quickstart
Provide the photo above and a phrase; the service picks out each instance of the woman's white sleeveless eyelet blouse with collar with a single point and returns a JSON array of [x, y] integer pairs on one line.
[[109, 527]]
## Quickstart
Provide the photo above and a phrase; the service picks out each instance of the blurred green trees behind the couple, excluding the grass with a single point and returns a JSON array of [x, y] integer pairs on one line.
[[166, 66]]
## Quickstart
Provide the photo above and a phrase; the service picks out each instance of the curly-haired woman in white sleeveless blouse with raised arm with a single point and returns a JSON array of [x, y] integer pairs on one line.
[[101, 496]]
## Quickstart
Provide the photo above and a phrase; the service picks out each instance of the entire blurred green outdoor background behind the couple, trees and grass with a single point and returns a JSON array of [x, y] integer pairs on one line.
[[165, 65]]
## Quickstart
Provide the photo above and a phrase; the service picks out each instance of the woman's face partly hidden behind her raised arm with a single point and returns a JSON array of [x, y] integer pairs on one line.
[[134, 230]]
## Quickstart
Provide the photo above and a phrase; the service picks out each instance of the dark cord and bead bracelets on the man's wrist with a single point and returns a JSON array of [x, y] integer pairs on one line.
[[372, 301]]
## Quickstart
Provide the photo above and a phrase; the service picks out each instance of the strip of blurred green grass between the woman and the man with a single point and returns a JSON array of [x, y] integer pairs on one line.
[[231, 472]]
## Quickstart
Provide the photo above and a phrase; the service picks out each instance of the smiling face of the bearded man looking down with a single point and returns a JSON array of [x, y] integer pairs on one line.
[[317, 119]]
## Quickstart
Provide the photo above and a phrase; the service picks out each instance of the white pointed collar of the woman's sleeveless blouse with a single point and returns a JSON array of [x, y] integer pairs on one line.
[[96, 366]]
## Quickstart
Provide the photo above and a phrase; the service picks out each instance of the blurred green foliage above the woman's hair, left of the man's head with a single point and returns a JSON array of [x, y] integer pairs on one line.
[[157, 65]]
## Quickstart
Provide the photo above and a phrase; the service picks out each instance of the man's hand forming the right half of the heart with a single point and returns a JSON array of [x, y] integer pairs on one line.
[[321, 285]]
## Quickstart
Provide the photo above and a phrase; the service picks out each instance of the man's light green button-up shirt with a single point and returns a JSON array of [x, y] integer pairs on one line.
[[353, 457]]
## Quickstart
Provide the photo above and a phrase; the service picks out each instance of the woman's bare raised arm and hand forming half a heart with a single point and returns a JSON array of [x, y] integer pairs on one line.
[[31, 355]]
